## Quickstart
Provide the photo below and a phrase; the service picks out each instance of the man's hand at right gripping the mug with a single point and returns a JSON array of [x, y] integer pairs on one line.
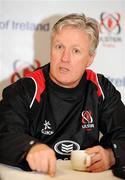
[[101, 160]]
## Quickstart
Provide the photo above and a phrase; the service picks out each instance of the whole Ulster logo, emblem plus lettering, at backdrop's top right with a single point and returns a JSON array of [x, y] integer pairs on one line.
[[110, 28]]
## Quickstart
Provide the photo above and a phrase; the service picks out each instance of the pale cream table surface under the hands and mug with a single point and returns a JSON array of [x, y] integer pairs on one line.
[[64, 172]]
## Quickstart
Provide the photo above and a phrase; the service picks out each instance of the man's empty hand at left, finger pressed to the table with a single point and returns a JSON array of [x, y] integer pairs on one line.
[[42, 158]]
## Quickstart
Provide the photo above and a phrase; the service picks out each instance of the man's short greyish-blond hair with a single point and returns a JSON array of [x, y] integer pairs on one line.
[[80, 21]]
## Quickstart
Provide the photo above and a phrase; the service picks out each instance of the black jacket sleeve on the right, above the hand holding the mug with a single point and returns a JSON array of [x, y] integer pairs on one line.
[[112, 121]]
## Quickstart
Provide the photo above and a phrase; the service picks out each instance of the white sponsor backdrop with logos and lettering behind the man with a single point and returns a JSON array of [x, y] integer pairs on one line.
[[25, 27]]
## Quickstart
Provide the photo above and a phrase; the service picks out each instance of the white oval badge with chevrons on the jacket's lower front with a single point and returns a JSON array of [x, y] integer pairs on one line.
[[65, 147]]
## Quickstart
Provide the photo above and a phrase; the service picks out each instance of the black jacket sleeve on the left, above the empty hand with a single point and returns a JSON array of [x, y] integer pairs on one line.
[[15, 139]]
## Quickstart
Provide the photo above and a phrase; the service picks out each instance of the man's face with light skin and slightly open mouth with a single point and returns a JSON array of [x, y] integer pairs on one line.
[[69, 56]]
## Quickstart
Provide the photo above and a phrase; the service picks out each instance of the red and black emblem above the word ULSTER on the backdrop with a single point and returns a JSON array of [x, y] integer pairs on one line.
[[110, 23]]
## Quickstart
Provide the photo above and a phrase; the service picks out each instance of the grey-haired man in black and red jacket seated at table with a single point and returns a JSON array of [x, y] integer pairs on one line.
[[63, 106]]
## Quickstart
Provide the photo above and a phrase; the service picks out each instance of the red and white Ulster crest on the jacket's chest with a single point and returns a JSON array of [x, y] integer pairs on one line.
[[87, 120]]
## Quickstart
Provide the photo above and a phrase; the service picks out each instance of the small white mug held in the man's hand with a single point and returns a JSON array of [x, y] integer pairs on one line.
[[80, 160]]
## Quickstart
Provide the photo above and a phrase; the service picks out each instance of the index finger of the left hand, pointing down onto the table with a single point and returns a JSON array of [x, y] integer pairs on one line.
[[52, 166]]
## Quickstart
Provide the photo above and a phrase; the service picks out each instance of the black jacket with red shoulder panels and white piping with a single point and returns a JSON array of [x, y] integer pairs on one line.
[[35, 110]]
